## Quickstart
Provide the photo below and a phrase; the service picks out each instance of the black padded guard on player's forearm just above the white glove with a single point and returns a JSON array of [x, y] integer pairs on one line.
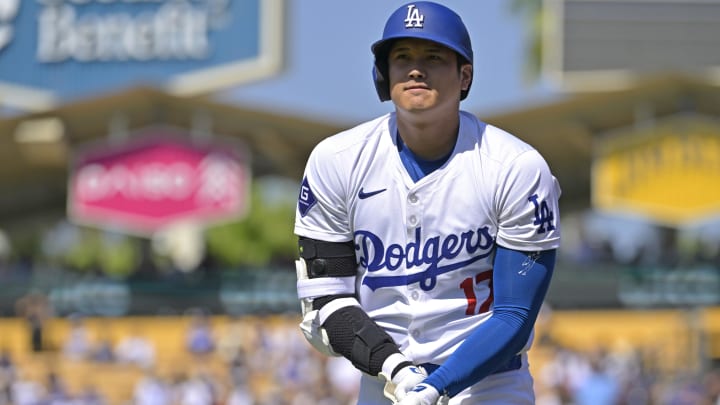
[[359, 339]]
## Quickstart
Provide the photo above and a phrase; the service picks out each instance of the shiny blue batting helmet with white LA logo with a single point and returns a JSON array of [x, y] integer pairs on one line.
[[423, 20]]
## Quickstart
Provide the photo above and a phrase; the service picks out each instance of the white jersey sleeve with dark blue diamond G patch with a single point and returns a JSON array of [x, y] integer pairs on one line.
[[321, 211]]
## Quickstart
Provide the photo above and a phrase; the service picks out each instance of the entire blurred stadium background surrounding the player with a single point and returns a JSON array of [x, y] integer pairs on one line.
[[150, 159]]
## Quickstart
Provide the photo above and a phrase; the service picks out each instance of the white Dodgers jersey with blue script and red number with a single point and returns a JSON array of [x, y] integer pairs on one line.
[[425, 248]]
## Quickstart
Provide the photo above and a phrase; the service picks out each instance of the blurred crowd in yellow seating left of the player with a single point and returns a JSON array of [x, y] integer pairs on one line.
[[190, 360]]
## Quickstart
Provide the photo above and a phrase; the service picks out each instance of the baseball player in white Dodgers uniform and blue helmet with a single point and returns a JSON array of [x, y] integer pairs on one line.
[[427, 237]]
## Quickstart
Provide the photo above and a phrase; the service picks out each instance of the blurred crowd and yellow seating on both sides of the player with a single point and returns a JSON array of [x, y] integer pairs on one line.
[[196, 359]]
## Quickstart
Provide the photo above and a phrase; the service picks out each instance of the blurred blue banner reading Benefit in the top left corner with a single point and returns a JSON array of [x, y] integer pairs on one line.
[[56, 50]]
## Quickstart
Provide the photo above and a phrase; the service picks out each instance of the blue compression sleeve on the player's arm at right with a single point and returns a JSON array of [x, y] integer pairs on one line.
[[520, 282]]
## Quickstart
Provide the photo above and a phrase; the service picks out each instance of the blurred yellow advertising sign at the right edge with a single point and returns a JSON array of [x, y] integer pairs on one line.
[[669, 173]]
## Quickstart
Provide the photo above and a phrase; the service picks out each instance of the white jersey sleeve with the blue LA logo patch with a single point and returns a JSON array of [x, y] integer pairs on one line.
[[527, 204]]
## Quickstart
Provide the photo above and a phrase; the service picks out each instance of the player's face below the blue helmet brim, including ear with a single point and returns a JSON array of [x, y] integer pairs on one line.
[[424, 75]]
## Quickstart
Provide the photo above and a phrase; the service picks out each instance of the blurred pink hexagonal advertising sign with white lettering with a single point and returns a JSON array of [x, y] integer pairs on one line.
[[158, 177]]
